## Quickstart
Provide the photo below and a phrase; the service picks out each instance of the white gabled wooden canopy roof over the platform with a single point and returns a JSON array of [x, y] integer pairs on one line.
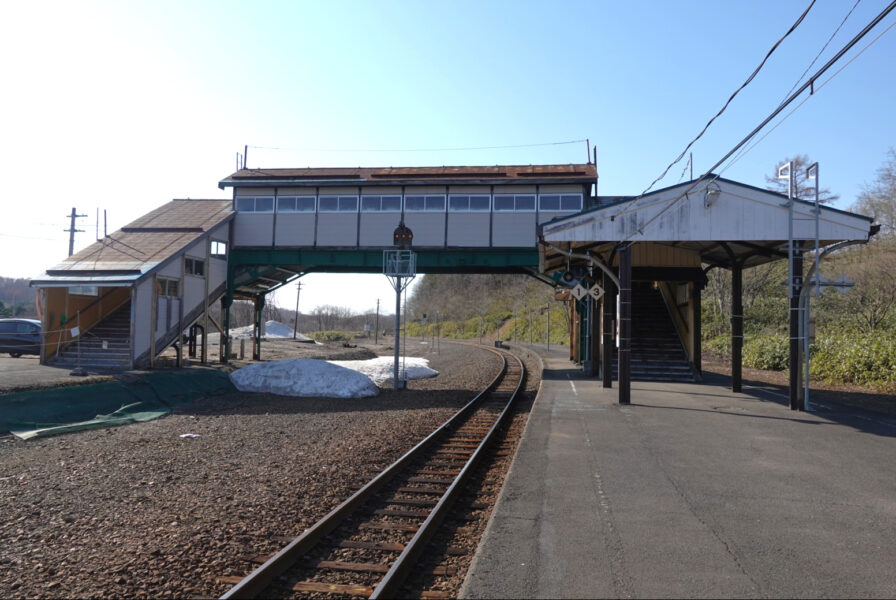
[[722, 221]]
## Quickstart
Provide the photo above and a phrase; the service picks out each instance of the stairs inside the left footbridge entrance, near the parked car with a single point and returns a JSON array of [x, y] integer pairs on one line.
[[107, 346]]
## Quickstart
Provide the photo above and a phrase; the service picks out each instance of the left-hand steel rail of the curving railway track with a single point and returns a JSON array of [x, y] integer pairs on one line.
[[254, 583]]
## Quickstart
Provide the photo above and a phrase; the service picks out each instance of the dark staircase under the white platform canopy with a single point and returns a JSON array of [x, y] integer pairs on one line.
[[657, 352]]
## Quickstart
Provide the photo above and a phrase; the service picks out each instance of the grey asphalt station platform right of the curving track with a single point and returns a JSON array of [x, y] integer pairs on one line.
[[690, 491]]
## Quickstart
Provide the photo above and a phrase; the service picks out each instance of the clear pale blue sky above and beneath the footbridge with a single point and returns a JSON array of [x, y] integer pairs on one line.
[[124, 105]]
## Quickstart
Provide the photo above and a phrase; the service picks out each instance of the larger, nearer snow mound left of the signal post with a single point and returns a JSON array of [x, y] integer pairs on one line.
[[304, 377]]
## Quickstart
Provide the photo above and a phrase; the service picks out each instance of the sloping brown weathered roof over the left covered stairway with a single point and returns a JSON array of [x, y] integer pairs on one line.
[[148, 241]]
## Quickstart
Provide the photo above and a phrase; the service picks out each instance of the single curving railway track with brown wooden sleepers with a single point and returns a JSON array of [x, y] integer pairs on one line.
[[367, 545]]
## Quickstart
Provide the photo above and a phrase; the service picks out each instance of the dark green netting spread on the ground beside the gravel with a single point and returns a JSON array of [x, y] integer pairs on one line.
[[40, 413]]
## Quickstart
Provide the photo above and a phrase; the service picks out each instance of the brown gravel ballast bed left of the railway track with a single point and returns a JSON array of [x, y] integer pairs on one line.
[[140, 511]]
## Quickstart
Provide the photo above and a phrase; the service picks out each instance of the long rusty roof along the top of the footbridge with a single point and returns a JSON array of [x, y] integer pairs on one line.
[[584, 173]]
